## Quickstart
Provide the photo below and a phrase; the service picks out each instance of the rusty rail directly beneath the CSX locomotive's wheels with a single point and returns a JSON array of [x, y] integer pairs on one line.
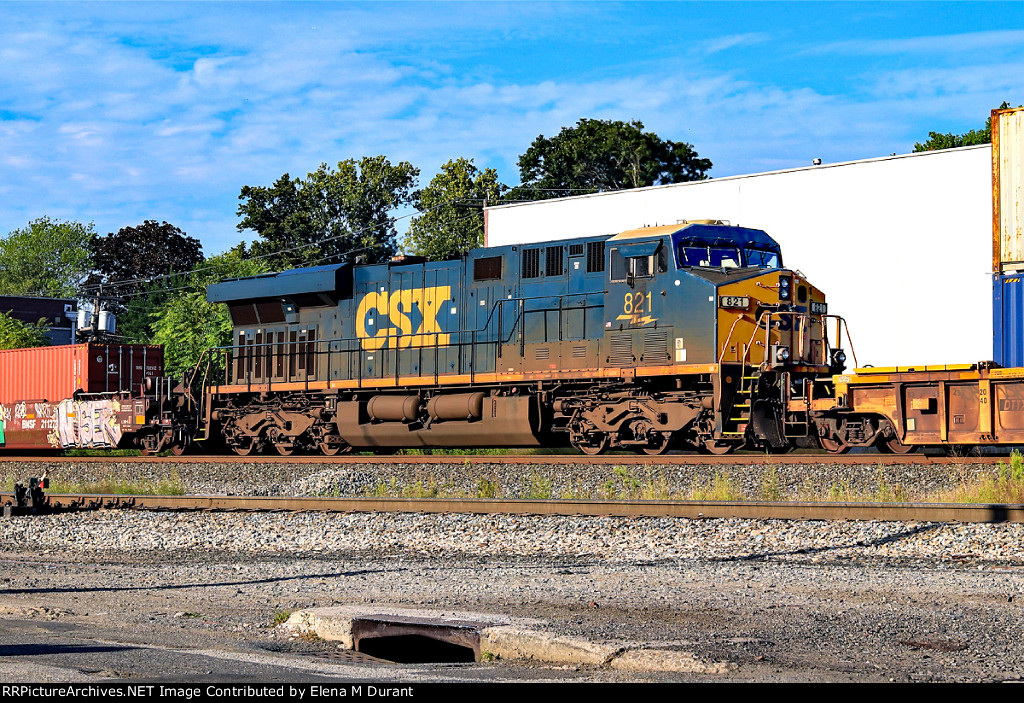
[[751, 459]]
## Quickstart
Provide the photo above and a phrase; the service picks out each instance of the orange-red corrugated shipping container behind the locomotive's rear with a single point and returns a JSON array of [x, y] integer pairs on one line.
[[54, 374]]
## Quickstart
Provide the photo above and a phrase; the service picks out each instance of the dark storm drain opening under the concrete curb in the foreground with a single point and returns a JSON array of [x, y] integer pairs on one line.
[[415, 641]]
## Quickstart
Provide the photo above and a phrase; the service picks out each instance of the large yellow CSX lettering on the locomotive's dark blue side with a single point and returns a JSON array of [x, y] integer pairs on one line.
[[402, 319]]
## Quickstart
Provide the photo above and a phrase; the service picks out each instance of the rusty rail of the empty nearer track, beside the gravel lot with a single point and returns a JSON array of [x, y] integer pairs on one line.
[[964, 513]]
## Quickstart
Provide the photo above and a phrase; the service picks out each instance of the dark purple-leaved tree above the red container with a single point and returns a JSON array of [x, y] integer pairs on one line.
[[133, 256]]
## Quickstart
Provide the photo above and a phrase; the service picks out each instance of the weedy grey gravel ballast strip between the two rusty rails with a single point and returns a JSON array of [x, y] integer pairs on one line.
[[461, 477]]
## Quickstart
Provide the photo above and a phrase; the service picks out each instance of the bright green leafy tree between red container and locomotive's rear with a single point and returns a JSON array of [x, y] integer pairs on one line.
[[187, 325]]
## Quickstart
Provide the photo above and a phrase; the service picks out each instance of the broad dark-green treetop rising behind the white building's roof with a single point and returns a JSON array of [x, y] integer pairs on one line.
[[605, 155]]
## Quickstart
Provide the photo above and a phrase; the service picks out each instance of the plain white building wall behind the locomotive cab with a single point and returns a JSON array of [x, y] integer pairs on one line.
[[903, 246]]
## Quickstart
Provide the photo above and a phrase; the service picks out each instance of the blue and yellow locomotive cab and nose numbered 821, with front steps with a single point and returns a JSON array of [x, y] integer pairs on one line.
[[706, 293]]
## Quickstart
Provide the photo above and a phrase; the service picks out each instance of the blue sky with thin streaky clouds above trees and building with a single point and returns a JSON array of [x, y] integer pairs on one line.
[[116, 113]]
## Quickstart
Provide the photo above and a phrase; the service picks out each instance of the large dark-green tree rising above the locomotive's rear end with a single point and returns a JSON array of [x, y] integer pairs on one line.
[[330, 216]]
